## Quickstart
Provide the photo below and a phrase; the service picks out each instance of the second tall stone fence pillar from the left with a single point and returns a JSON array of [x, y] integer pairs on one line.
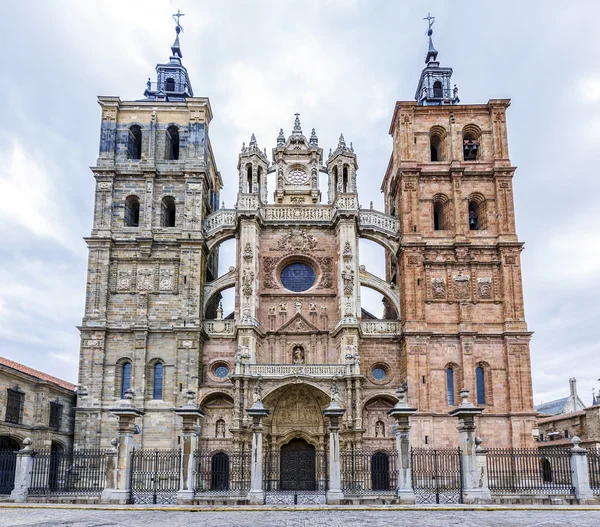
[[190, 414]]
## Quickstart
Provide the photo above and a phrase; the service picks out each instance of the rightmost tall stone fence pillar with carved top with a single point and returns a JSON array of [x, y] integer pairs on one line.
[[475, 485]]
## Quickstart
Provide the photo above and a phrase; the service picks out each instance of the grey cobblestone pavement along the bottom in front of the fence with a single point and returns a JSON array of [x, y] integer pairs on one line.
[[39, 517]]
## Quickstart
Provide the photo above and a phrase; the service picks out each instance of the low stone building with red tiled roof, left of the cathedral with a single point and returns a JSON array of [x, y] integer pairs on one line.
[[36, 405]]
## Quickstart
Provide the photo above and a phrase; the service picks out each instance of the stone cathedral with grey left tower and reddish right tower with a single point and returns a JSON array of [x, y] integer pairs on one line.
[[452, 290]]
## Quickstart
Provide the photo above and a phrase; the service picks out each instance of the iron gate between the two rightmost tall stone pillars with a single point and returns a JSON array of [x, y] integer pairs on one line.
[[437, 475]]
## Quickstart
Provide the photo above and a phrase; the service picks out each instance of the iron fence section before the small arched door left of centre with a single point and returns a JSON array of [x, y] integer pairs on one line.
[[222, 473]]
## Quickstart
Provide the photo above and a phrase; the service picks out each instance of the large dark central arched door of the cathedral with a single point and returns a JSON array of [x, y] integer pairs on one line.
[[298, 466]]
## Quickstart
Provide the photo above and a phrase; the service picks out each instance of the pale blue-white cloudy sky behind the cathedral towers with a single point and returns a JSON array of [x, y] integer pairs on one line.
[[342, 64]]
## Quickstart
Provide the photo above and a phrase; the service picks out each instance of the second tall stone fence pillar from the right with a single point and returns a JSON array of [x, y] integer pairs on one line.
[[401, 414]]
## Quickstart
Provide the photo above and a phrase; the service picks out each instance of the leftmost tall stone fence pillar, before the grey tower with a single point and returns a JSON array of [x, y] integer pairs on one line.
[[127, 413]]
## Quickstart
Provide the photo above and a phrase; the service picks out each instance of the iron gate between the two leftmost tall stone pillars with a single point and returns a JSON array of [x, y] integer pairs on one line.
[[155, 475]]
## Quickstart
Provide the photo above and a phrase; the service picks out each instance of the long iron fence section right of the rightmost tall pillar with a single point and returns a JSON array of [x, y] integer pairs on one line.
[[529, 471]]
